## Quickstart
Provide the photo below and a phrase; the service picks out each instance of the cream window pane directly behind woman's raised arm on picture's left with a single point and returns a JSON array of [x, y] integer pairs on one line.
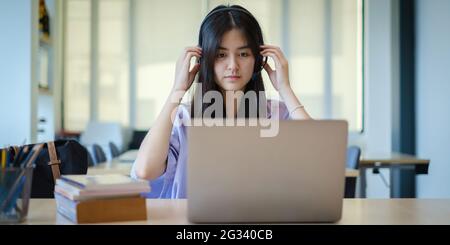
[[161, 35]]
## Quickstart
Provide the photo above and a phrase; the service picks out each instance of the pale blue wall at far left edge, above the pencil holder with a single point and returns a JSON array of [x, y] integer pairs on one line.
[[17, 97]]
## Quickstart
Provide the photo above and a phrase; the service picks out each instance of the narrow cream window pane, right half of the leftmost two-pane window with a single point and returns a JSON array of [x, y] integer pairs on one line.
[[113, 61]]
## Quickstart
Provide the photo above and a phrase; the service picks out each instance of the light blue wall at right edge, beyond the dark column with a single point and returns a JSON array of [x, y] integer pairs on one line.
[[433, 95]]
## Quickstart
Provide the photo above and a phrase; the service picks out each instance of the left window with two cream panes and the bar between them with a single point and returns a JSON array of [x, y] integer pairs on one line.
[[96, 75]]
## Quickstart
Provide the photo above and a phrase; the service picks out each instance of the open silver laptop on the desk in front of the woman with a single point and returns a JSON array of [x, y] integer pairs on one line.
[[237, 176]]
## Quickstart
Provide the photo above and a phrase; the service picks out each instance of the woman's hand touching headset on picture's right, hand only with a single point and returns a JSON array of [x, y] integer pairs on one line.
[[280, 76]]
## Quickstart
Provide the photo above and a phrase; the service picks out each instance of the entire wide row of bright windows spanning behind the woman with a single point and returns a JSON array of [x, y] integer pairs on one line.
[[322, 40]]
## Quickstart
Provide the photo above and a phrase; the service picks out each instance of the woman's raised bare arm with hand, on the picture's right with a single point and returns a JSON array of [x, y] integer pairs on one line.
[[280, 81]]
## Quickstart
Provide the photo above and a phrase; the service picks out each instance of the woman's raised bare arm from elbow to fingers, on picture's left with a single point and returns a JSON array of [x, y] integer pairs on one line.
[[152, 155]]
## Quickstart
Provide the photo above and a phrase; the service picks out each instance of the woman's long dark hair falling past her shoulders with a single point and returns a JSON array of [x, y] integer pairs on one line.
[[219, 21]]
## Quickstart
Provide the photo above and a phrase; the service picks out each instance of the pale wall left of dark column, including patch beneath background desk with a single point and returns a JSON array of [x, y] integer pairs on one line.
[[381, 61]]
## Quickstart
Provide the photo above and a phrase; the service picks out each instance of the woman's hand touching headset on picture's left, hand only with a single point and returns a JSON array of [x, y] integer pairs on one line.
[[184, 76]]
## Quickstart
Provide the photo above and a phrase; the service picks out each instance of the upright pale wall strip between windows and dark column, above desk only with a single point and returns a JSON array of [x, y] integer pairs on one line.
[[378, 79]]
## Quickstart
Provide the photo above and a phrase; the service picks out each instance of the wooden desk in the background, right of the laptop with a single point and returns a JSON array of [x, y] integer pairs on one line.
[[403, 170]]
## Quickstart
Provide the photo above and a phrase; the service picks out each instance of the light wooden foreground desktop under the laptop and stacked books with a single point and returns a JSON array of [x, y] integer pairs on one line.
[[355, 212]]
